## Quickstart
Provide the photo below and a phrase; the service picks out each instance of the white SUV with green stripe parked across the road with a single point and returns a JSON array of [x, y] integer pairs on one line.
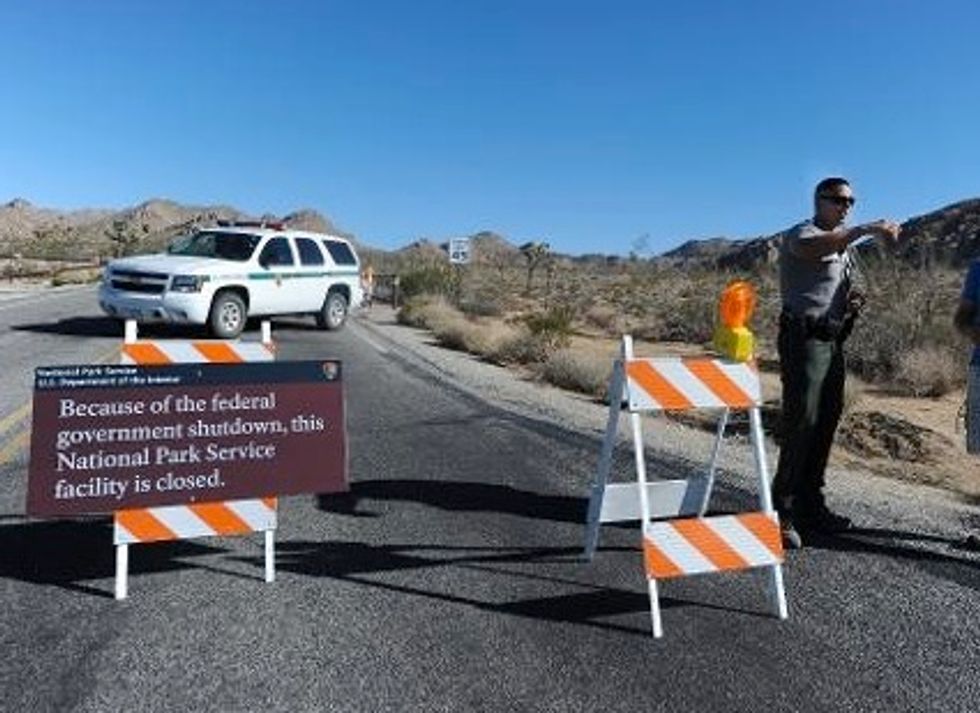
[[221, 276]]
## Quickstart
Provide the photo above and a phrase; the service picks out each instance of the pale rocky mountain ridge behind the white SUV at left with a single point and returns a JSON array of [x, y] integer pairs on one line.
[[33, 232]]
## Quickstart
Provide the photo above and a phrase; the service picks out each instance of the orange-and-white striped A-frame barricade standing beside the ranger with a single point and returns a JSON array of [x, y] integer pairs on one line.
[[678, 539]]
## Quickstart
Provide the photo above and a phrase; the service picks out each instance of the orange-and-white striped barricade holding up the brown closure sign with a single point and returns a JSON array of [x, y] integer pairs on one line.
[[207, 519]]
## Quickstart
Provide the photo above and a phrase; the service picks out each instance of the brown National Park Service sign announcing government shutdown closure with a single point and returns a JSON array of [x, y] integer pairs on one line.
[[108, 438]]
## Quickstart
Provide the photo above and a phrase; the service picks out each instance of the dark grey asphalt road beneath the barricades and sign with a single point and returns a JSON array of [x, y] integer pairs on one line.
[[448, 579]]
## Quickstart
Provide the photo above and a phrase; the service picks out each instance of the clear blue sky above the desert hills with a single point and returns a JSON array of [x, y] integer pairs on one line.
[[586, 124]]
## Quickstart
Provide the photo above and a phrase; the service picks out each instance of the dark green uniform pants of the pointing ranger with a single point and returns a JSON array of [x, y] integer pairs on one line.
[[812, 371]]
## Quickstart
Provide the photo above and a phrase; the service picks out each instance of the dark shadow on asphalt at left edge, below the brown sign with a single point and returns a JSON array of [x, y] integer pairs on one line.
[[68, 553]]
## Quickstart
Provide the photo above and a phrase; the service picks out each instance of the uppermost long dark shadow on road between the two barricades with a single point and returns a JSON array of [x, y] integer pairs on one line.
[[457, 496]]
